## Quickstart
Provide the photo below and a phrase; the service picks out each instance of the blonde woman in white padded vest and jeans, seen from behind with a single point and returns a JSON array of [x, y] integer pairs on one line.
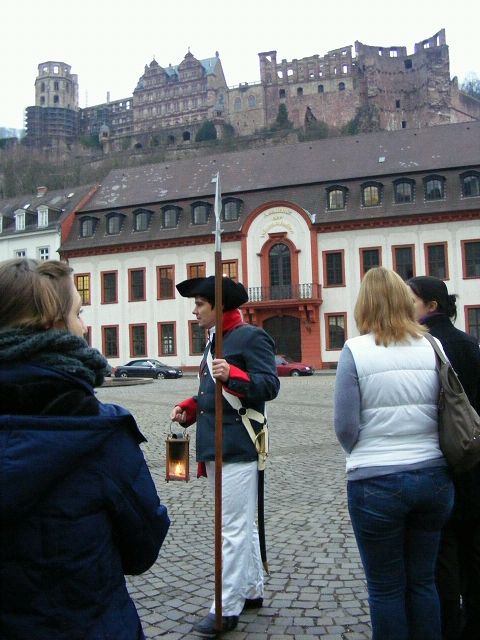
[[400, 493]]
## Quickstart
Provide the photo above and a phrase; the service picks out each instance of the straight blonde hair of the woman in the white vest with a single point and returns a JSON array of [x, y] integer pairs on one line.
[[384, 307]]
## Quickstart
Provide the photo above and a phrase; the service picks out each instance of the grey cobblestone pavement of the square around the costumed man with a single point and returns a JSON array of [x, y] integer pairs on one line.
[[316, 587]]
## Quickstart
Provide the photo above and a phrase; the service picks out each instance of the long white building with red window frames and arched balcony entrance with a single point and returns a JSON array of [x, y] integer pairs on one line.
[[301, 225]]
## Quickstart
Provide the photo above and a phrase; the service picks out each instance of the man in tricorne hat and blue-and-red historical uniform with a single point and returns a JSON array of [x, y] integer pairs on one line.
[[248, 373]]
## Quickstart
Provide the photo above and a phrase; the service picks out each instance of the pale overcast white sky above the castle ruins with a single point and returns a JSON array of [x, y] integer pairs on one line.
[[107, 43]]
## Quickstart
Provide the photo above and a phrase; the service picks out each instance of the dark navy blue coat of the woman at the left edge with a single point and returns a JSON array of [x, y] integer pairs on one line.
[[78, 510]]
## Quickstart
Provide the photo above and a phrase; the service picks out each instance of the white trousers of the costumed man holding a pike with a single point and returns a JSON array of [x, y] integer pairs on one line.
[[242, 570]]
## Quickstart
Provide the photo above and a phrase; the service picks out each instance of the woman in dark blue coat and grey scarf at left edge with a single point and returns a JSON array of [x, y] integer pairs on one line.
[[78, 507]]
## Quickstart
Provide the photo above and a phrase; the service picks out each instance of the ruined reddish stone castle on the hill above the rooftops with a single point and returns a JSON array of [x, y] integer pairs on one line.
[[169, 104]]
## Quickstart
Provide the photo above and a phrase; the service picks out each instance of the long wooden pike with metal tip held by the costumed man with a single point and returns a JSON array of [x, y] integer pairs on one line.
[[218, 405]]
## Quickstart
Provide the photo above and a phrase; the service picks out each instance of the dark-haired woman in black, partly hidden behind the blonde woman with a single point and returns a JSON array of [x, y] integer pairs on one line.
[[458, 568]]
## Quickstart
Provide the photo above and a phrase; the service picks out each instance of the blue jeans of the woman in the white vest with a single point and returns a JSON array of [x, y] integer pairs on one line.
[[397, 520]]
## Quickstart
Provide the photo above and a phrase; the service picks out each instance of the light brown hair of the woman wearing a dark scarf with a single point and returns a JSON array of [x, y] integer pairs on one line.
[[34, 294]]
